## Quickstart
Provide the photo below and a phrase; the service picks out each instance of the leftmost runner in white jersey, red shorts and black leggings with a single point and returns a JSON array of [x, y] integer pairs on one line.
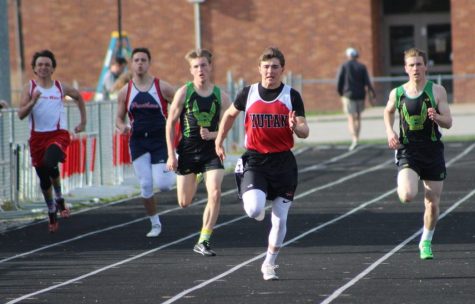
[[42, 102]]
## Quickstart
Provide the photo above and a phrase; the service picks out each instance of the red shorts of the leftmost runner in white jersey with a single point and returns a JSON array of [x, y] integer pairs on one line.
[[40, 141]]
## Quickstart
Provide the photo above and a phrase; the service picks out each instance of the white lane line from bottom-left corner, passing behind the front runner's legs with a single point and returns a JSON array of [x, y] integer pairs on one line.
[[16, 300]]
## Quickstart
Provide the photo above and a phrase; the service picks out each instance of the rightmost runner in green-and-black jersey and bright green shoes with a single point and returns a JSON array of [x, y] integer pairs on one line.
[[423, 108]]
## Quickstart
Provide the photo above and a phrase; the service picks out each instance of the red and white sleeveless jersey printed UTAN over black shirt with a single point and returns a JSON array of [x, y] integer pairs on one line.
[[267, 122]]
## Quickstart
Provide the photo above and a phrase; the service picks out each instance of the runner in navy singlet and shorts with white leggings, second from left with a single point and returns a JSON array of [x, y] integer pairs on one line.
[[145, 100]]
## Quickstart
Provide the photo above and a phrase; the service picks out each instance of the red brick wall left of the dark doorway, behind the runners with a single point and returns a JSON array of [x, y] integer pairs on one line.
[[313, 35]]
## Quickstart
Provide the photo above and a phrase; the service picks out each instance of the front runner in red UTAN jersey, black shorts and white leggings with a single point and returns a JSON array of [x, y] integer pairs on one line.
[[268, 169]]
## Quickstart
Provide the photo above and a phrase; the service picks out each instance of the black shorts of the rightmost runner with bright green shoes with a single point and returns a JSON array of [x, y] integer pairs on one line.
[[426, 159]]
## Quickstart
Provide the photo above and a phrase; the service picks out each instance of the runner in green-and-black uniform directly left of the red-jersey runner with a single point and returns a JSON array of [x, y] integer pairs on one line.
[[198, 105]]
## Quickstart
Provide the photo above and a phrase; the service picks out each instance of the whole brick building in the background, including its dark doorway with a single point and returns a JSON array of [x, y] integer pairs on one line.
[[313, 35]]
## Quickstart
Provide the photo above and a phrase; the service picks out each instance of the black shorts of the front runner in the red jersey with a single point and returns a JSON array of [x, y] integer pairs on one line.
[[276, 174]]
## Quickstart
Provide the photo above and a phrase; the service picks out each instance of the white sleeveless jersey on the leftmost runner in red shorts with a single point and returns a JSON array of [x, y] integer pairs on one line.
[[48, 114]]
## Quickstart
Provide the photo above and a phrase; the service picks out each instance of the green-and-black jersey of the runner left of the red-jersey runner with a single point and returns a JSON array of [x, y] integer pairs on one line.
[[199, 111]]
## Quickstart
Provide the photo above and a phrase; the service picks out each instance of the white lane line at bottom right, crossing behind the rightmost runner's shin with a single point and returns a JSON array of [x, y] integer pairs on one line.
[[362, 274]]
